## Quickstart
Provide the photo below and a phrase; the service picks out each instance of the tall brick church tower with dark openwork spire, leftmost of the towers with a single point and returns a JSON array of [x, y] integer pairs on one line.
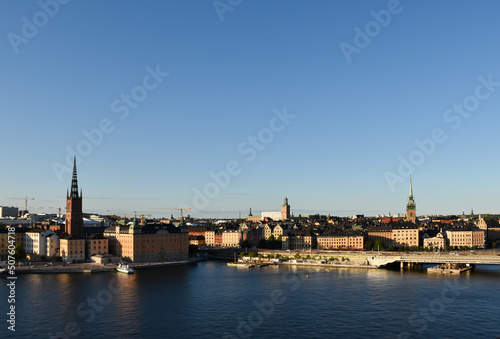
[[74, 215]]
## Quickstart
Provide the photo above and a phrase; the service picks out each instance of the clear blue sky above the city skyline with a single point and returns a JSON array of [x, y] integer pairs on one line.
[[221, 106]]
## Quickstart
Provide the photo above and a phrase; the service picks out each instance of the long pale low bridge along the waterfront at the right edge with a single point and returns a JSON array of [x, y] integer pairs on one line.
[[437, 258]]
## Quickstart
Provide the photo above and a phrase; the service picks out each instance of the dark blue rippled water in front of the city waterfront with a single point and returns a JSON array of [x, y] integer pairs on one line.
[[211, 300]]
